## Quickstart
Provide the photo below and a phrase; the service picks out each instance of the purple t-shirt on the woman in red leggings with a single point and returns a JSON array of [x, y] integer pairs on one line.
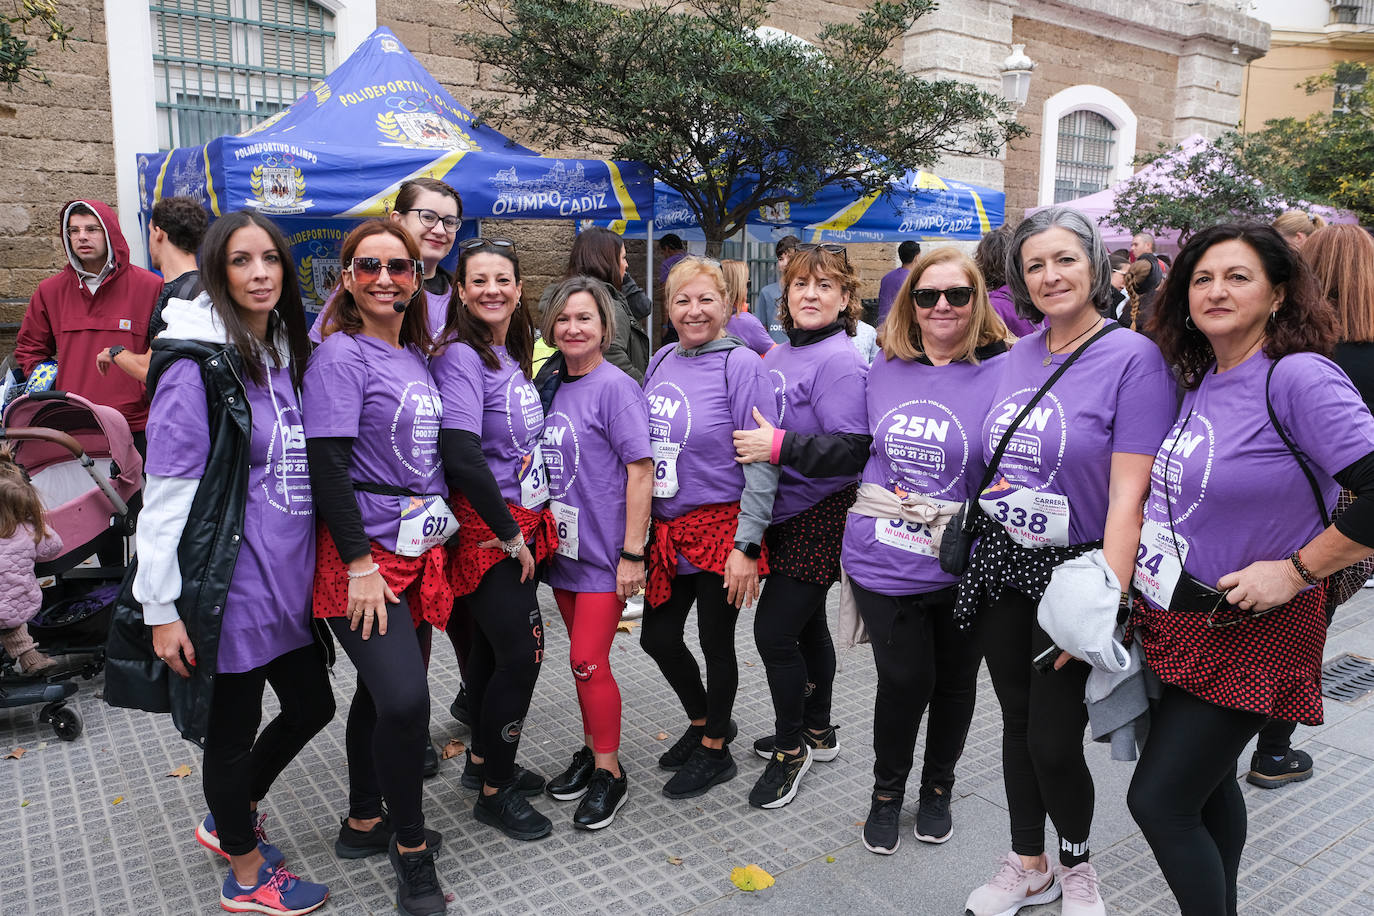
[[596, 428]]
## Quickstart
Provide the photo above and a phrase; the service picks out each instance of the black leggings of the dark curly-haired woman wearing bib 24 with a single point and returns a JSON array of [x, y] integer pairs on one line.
[[1188, 803]]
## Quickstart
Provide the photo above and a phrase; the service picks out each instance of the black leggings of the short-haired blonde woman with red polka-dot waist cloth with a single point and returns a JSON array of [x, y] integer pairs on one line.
[[663, 638]]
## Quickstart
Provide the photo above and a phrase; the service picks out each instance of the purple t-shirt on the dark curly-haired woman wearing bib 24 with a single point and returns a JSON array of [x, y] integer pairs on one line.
[[1237, 494]]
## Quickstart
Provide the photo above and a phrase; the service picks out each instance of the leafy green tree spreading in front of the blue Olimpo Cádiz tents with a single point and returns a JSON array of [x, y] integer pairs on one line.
[[732, 120]]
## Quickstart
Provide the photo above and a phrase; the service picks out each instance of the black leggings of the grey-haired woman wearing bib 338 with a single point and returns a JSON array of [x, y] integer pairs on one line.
[[1042, 733]]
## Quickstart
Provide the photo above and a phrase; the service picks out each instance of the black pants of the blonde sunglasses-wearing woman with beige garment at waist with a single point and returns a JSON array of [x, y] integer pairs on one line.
[[924, 661]]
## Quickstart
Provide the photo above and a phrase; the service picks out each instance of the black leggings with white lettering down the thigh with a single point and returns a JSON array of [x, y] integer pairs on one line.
[[502, 667]]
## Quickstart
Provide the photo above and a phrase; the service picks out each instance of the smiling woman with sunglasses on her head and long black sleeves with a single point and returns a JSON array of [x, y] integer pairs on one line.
[[491, 440]]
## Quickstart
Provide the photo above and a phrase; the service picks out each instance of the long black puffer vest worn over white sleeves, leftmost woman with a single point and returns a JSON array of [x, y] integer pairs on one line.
[[210, 549]]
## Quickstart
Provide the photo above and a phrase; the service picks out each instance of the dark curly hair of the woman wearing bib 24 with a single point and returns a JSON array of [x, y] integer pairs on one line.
[[1305, 322]]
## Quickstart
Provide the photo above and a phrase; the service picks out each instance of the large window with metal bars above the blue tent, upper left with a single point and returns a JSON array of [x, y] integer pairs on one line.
[[225, 67]]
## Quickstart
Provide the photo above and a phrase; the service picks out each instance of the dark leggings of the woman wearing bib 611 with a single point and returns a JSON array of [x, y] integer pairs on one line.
[[388, 723]]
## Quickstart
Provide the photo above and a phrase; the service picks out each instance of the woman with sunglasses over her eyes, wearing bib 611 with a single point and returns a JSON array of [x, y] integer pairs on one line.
[[372, 432]]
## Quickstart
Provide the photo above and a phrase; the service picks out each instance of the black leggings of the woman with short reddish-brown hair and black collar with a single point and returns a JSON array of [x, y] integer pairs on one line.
[[799, 656]]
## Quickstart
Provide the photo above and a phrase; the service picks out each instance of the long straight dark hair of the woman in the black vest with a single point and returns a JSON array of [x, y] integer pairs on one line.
[[215, 275]]
